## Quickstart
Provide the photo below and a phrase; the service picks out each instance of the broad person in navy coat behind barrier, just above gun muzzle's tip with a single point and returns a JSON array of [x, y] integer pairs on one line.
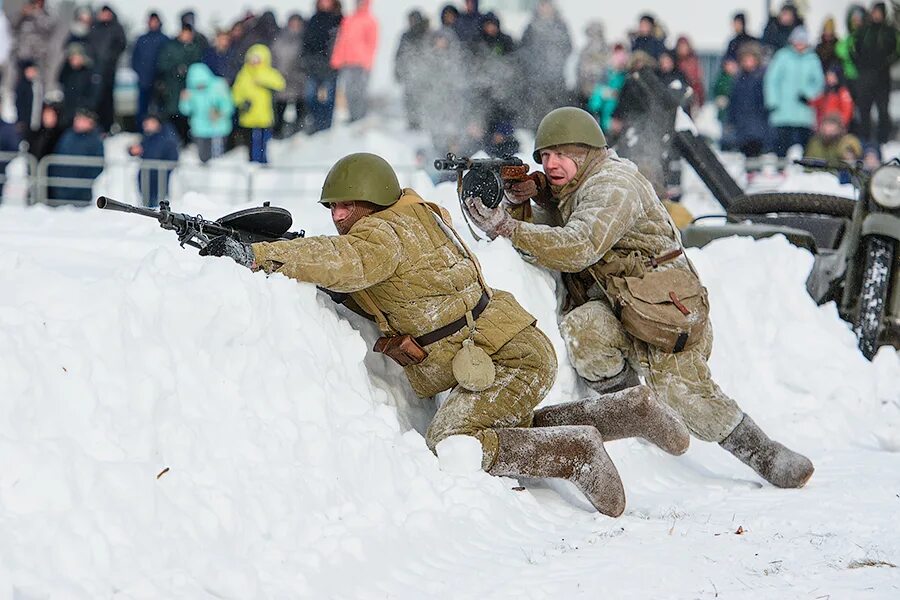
[[81, 139]]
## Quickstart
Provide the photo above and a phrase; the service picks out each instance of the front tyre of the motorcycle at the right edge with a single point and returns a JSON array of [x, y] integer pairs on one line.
[[873, 295]]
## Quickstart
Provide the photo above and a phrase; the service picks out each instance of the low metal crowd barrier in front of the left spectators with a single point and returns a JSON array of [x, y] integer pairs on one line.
[[55, 180]]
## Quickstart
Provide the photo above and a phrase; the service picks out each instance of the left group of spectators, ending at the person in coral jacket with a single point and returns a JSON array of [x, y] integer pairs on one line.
[[234, 88]]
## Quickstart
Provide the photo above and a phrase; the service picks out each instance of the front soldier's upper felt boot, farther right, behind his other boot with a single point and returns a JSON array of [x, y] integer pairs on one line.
[[634, 412]]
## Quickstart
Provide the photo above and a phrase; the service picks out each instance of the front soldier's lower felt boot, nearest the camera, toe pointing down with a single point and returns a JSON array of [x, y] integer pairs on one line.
[[573, 453]]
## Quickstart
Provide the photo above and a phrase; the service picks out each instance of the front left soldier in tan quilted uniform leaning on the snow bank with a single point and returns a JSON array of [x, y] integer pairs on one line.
[[402, 263]]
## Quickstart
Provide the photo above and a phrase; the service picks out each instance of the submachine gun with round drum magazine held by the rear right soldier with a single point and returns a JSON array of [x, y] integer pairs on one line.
[[483, 177]]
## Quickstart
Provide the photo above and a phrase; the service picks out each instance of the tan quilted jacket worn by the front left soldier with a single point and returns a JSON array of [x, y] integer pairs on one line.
[[414, 272]]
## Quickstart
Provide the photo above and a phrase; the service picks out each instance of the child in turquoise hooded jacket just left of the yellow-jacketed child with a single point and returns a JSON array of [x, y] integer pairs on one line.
[[207, 103]]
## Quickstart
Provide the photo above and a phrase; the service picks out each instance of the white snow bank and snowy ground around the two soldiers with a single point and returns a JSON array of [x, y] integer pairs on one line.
[[174, 427]]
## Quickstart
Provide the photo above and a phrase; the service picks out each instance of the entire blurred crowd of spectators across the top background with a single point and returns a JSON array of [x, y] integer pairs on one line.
[[466, 82]]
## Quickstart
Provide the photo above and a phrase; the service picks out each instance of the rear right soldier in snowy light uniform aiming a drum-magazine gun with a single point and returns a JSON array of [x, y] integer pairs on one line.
[[635, 304]]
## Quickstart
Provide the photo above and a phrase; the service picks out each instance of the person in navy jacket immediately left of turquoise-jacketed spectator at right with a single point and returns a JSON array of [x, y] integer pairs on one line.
[[746, 112]]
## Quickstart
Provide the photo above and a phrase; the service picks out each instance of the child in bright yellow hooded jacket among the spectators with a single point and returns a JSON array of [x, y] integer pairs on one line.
[[253, 94]]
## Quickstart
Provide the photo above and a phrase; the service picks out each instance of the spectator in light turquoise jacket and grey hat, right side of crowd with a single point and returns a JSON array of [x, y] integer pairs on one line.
[[794, 77]]
